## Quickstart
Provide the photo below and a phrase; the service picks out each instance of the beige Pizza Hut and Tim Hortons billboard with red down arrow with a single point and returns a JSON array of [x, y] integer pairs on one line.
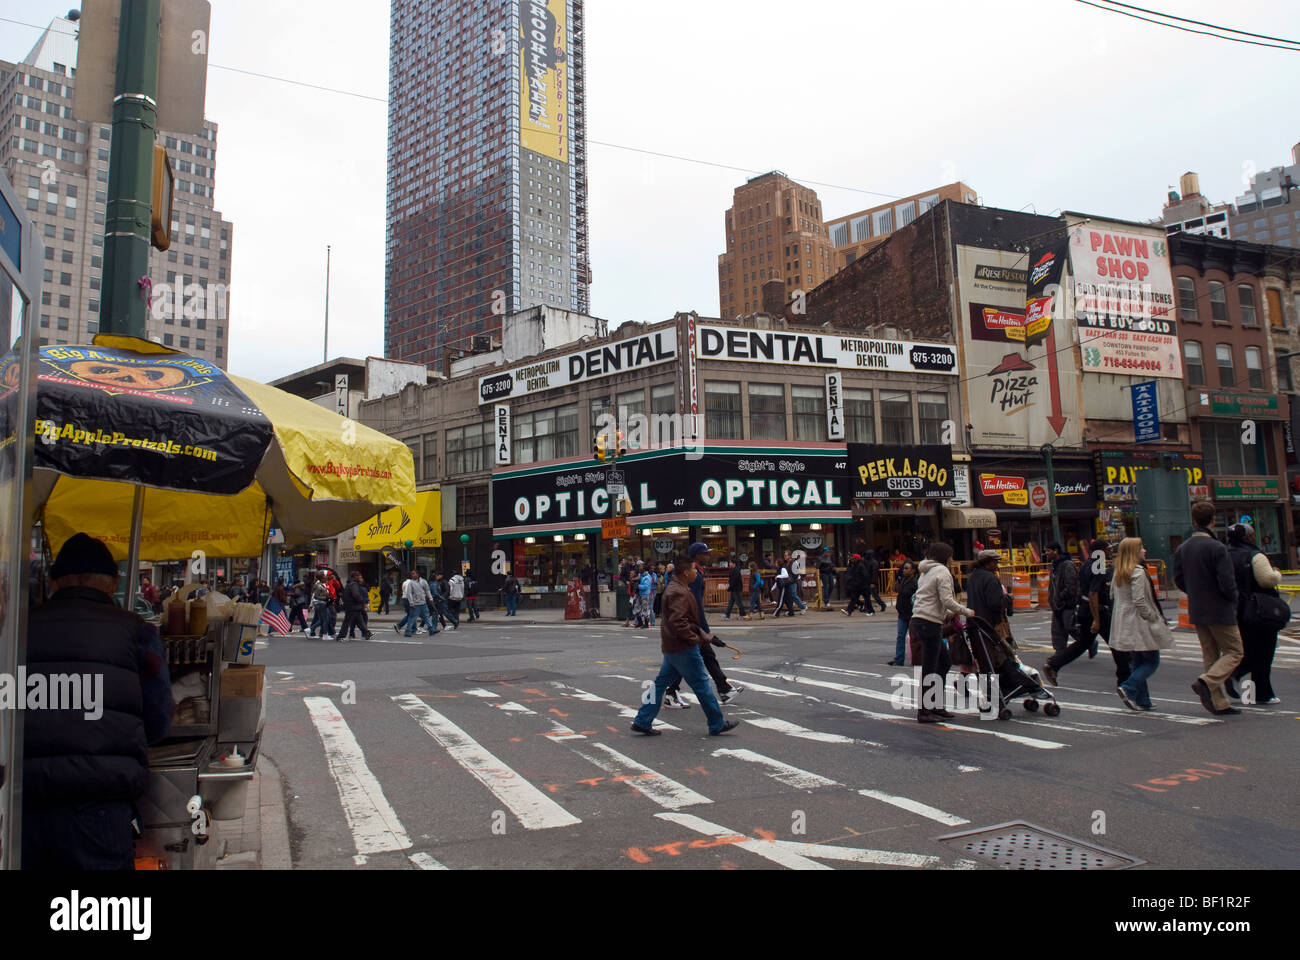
[[1020, 396]]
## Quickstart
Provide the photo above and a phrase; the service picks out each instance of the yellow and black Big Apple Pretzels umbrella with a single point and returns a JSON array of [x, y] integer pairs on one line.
[[161, 455]]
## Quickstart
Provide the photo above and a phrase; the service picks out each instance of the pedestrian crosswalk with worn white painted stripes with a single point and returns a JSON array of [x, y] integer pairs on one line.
[[548, 756]]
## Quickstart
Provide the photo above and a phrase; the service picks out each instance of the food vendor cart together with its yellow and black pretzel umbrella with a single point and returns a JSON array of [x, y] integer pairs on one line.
[[166, 457]]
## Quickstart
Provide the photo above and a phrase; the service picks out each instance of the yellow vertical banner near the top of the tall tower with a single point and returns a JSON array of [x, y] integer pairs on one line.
[[544, 109]]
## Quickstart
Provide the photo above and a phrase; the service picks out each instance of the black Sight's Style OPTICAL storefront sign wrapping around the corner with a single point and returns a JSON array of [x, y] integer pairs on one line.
[[768, 486]]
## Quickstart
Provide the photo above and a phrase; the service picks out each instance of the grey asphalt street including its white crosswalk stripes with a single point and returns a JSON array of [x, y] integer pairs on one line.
[[506, 745]]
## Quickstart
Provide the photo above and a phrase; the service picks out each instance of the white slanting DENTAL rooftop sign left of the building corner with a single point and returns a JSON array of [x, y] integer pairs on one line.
[[625, 357]]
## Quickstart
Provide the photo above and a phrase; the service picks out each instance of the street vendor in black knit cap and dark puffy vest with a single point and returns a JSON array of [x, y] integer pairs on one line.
[[85, 768]]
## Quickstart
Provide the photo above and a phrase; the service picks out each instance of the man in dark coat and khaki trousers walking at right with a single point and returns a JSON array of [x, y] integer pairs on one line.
[[1203, 570]]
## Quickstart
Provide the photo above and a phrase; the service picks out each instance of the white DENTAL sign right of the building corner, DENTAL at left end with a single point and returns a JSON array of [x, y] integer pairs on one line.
[[821, 351]]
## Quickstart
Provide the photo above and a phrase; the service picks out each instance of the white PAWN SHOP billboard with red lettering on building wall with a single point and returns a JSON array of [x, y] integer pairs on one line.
[[1124, 300]]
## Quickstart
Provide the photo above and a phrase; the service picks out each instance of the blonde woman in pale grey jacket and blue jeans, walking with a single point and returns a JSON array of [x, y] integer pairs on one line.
[[1137, 624]]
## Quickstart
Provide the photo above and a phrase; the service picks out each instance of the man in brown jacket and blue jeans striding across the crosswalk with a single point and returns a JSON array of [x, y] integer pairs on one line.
[[681, 639]]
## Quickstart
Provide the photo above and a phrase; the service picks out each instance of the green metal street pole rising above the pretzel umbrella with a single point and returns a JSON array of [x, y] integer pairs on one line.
[[124, 309]]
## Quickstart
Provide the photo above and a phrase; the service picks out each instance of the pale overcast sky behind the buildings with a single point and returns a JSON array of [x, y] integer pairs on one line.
[[1050, 103]]
